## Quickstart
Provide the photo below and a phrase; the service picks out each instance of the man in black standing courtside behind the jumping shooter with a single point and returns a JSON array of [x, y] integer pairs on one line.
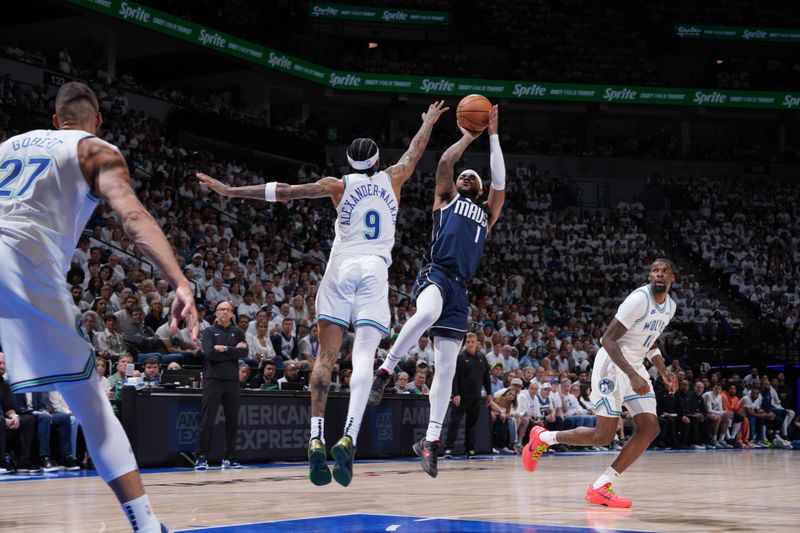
[[472, 374]]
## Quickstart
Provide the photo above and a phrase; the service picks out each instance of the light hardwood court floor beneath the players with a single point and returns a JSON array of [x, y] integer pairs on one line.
[[731, 490]]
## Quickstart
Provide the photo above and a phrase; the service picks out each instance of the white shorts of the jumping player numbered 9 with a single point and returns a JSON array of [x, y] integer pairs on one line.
[[355, 289]]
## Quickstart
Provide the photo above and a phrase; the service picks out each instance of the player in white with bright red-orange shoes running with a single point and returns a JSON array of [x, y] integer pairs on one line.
[[620, 378]]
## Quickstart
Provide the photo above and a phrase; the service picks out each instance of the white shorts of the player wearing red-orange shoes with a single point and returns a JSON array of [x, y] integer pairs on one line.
[[611, 389]]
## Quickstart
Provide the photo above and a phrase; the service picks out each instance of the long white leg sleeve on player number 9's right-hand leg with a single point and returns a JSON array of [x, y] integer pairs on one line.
[[364, 346]]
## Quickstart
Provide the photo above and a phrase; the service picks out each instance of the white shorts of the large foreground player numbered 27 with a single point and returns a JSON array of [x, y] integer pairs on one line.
[[38, 325]]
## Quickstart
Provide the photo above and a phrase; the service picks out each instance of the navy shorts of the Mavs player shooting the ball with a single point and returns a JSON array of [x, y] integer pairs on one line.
[[452, 321]]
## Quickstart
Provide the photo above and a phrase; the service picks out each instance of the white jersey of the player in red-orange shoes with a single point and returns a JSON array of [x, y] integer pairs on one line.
[[645, 320]]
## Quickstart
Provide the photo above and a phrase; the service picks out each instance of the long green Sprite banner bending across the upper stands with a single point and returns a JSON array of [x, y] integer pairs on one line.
[[230, 45]]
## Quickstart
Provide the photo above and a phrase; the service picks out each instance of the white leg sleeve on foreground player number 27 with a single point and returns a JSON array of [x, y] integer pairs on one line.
[[106, 440]]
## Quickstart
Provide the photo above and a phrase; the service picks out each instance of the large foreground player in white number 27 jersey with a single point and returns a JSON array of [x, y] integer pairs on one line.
[[51, 183]]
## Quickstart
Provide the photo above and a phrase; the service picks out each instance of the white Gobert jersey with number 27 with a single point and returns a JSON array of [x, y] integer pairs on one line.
[[45, 200]]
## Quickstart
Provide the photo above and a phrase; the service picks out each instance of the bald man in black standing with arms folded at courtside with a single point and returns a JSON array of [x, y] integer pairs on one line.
[[223, 346]]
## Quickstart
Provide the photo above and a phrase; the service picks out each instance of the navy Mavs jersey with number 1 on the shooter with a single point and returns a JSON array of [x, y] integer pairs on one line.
[[459, 233]]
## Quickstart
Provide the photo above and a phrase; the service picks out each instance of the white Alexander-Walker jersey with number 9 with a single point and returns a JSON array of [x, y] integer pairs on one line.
[[367, 215]]
